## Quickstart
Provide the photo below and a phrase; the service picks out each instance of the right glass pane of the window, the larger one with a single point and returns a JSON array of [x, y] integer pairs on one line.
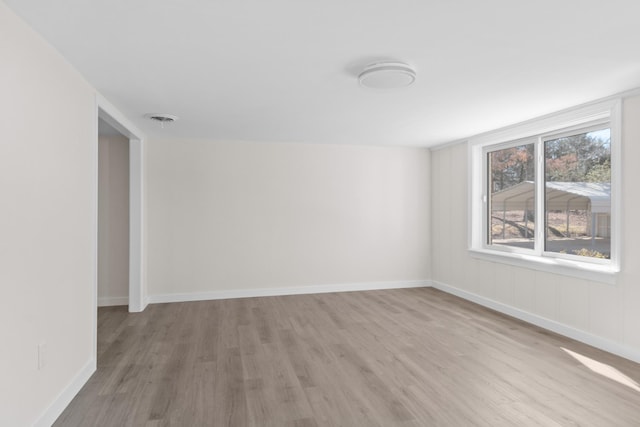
[[578, 194]]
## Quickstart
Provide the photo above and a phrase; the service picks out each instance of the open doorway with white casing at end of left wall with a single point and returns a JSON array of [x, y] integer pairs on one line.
[[119, 218]]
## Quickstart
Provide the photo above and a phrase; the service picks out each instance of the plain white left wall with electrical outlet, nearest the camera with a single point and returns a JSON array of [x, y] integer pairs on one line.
[[47, 211]]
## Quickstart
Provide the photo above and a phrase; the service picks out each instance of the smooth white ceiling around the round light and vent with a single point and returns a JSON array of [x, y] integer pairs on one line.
[[285, 70]]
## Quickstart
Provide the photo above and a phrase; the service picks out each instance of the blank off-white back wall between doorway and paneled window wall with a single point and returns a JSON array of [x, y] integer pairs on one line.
[[244, 216]]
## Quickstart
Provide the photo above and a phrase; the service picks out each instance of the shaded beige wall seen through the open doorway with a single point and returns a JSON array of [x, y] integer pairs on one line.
[[113, 220]]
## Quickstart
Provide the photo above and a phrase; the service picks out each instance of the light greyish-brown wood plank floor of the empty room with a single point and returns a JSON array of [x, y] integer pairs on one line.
[[411, 357]]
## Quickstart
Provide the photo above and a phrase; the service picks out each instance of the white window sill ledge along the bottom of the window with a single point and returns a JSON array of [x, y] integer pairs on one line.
[[582, 270]]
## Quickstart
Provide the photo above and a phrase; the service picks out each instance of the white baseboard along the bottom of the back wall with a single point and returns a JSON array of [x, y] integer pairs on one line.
[[299, 290]]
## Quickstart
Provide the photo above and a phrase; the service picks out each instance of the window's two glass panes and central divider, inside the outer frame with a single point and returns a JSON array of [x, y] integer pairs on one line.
[[573, 185]]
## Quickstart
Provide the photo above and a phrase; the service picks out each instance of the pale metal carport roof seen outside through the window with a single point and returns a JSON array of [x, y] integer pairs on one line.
[[593, 196]]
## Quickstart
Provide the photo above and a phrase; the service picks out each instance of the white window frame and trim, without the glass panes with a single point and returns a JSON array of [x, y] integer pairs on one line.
[[537, 131]]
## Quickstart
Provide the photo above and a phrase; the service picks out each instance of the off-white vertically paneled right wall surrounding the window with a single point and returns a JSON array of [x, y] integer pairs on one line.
[[601, 314]]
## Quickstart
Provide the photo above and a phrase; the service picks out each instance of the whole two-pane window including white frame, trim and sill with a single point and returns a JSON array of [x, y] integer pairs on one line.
[[543, 194]]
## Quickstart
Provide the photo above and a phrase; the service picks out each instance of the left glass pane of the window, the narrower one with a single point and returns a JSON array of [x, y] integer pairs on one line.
[[512, 196]]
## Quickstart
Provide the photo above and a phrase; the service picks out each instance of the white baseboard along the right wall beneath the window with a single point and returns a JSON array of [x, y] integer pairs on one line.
[[552, 325]]
